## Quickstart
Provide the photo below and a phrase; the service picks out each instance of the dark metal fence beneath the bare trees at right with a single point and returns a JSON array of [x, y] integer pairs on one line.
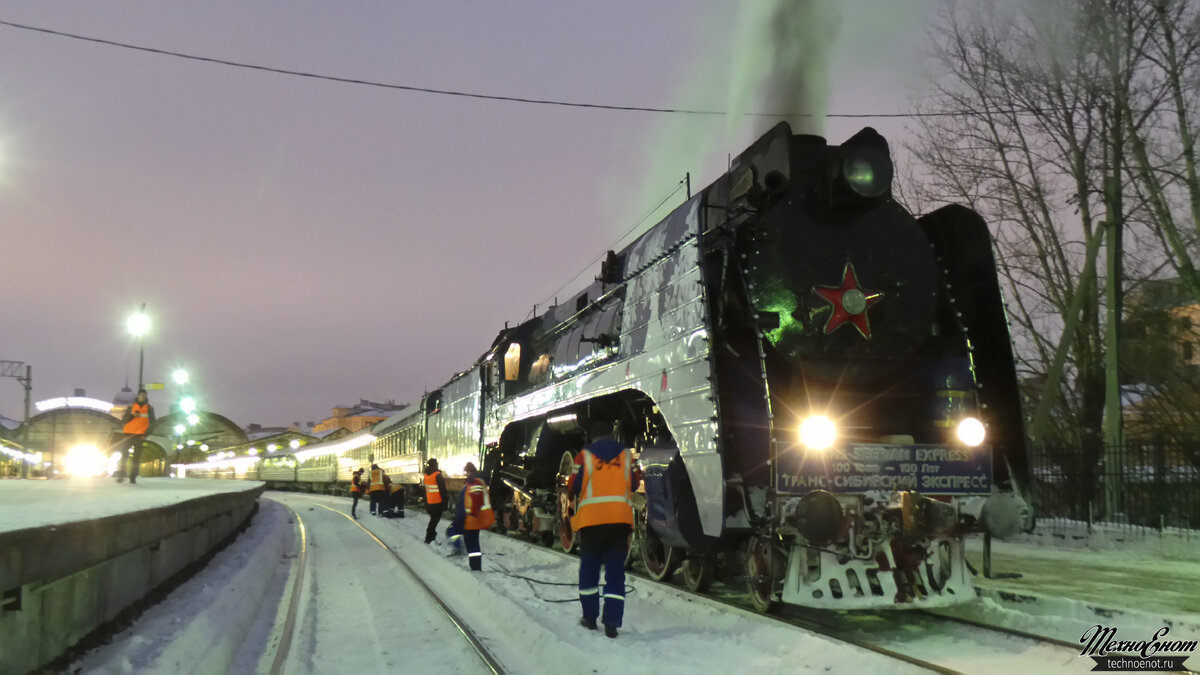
[[1153, 486]]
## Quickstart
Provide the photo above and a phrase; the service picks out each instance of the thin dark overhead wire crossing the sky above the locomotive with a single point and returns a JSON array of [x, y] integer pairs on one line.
[[442, 92]]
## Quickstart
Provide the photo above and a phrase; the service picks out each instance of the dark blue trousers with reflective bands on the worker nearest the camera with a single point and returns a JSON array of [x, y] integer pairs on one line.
[[604, 546]]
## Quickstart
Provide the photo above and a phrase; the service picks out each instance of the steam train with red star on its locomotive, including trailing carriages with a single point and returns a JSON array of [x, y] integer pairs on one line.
[[819, 387]]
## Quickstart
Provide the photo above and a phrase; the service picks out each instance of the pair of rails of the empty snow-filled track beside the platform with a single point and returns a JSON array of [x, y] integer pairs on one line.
[[299, 596]]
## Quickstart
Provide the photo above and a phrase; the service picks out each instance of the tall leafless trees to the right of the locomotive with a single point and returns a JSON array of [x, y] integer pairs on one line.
[[1070, 127]]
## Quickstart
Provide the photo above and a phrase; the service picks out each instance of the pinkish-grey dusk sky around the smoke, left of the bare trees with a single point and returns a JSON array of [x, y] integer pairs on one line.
[[303, 244]]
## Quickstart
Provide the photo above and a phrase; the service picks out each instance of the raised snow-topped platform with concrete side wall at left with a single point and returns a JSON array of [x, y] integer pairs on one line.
[[76, 553]]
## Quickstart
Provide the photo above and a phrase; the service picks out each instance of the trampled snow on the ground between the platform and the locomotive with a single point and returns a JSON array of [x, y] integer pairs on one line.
[[667, 631]]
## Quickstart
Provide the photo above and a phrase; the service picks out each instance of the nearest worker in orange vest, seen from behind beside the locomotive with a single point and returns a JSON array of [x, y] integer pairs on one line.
[[604, 521]]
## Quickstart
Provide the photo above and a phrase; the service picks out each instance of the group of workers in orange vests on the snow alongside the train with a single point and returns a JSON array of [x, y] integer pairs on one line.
[[603, 486]]
